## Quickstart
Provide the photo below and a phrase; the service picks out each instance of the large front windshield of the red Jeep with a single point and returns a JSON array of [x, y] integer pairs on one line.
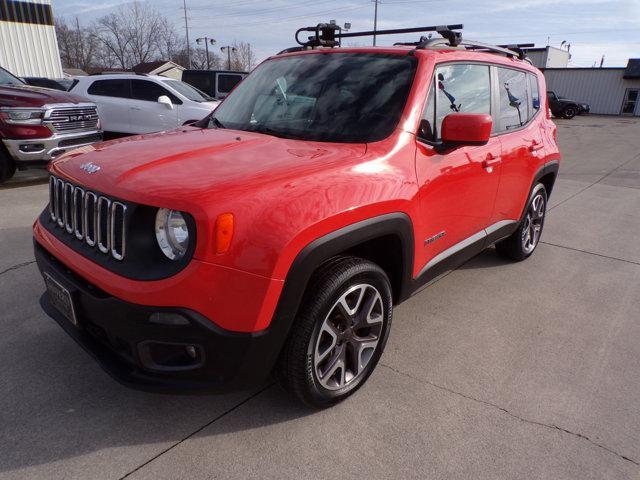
[[331, 97]]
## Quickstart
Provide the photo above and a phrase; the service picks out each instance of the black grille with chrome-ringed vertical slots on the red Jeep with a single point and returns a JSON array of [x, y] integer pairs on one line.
[[91, 218]]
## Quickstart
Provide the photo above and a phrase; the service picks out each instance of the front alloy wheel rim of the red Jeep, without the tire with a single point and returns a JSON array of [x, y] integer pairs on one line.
[[348, 337]]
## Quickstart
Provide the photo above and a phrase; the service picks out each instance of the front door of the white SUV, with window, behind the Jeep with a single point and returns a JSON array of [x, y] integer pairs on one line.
[[147, 114]]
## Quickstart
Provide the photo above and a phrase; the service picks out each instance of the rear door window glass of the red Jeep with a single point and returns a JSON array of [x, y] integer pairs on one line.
[[513, 99]]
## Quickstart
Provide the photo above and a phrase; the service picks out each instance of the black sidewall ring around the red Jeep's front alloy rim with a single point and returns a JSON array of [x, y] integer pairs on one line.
[[381, 283]]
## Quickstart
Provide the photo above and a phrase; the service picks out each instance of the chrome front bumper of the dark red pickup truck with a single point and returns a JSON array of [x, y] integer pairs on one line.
[[45, 149]]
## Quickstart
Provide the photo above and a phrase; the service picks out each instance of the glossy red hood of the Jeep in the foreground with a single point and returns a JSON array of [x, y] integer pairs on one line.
[[188, 165]]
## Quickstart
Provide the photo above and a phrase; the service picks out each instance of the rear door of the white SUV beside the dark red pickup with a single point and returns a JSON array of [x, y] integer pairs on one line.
[[112, 97]]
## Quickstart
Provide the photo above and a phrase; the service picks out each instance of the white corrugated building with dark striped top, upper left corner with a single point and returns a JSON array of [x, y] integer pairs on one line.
[[28, 45]]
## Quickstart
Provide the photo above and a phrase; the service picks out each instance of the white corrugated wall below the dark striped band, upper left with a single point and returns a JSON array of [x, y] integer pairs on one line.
[[30, 50]]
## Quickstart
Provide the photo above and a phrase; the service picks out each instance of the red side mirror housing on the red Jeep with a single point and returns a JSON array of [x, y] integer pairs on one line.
[[466, 129]]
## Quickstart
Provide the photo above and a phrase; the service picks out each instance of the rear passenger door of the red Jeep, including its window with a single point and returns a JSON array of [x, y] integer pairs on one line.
[[518, 95]]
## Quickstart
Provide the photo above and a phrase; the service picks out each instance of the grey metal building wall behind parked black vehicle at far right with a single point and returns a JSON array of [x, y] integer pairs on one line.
[[602, 88]]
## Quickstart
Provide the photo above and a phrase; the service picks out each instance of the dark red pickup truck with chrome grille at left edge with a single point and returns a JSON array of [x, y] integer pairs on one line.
[[38, 124]]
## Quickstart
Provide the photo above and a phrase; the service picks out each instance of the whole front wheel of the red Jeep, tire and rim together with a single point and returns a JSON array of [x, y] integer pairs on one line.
[[327, 357]]
